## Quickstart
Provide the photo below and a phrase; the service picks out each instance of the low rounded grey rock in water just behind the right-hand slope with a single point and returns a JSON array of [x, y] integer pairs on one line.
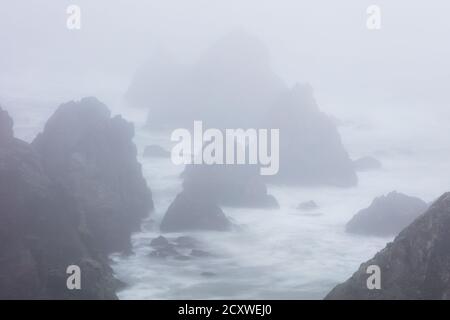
[[387, 215]]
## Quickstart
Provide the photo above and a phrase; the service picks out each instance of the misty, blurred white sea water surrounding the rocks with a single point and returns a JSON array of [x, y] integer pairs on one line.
[[275, 254]]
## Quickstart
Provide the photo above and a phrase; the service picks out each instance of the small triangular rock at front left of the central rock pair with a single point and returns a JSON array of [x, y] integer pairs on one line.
[[187, 212]]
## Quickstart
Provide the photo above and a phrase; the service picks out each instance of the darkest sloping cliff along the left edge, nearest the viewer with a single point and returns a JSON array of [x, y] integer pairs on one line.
[[41, 232]]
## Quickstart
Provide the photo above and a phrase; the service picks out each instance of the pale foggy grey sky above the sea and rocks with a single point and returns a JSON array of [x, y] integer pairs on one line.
[[322, 42]]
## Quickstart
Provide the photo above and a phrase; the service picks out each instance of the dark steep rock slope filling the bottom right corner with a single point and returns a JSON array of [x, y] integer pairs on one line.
[[414, 266]]
